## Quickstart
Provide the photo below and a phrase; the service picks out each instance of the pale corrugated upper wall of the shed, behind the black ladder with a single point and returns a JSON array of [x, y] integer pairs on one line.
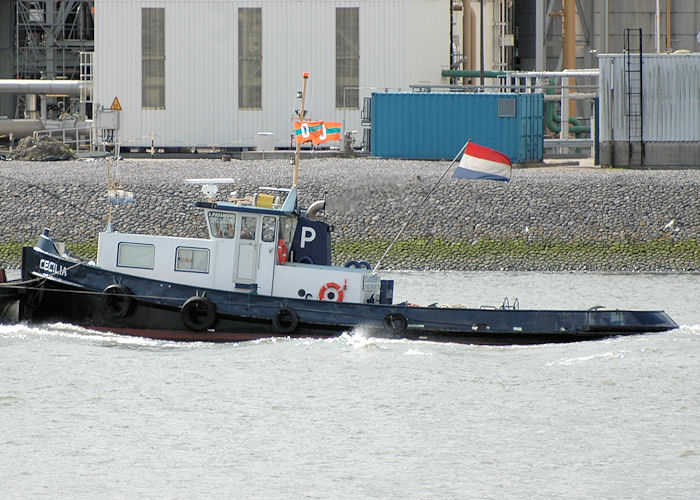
[[671, 98]]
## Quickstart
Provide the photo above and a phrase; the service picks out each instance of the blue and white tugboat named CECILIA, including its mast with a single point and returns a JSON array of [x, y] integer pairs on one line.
[[265, 270]]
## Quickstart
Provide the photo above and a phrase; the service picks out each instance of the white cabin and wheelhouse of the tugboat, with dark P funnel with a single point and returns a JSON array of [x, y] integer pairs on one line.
[[260, 244]]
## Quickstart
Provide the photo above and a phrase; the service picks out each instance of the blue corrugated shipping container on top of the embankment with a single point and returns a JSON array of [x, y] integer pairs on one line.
[[434, 126]]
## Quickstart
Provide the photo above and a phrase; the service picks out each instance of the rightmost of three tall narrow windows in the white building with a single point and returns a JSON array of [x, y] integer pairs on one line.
[[347, 57]]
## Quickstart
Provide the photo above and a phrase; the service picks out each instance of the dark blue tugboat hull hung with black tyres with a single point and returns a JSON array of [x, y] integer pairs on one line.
[[85, 295]]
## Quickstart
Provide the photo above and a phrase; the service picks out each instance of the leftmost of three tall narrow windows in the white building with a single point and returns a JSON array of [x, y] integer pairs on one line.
[[153, 58]]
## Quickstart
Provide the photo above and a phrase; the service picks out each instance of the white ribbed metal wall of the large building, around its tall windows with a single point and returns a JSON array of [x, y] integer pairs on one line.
[[401, 42]]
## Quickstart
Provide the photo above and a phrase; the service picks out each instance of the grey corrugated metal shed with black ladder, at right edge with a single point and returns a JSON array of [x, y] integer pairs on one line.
[[650, 110]]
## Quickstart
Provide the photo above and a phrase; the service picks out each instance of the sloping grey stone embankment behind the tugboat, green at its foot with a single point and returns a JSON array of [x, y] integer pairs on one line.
[[561, 218]]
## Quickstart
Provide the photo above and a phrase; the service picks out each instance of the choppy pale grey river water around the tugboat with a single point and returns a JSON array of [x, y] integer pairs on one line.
[[88, 415]]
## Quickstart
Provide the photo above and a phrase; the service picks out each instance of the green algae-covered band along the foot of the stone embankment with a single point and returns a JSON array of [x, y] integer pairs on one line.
[[664, 253]]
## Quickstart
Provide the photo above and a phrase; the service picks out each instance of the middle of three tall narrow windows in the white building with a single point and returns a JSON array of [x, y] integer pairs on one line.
[[250, 58]]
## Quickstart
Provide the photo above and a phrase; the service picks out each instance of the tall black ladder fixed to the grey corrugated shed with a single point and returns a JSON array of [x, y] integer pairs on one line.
[[633, 98]]
